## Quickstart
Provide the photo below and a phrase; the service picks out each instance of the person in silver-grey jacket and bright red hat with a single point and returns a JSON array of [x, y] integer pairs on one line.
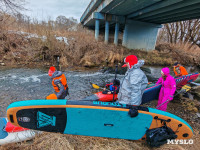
[[134, 82]]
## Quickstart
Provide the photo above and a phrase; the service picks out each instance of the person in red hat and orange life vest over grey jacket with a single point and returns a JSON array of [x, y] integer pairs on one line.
[[59, 83]]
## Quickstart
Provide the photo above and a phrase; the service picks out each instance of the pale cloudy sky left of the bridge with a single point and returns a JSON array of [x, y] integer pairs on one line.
[[45, 9]]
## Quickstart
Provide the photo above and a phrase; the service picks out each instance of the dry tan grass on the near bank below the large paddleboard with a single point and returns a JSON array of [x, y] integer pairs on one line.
[[56, 141]]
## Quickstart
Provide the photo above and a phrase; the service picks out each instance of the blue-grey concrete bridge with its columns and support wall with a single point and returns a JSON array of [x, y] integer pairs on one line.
[[139, 20]]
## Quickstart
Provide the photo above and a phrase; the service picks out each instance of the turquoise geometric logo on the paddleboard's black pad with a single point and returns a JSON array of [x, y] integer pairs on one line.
[[45, 120]]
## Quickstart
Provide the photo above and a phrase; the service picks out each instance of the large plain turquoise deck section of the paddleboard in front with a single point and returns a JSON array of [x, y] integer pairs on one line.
[[104, 123]]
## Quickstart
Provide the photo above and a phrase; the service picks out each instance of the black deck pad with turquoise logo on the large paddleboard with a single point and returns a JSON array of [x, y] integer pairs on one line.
[[51, 119]]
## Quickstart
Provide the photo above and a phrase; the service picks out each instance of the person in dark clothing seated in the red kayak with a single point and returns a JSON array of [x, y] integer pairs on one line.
[[109, 88]]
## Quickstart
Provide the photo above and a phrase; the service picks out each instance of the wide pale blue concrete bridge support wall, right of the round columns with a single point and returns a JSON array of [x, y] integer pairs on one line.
[[140, 35]]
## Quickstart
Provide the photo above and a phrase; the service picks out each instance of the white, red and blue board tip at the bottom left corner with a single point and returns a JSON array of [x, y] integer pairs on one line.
[[17, 134]]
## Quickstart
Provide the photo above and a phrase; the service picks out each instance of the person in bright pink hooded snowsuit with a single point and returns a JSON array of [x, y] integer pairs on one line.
[[167, 90]]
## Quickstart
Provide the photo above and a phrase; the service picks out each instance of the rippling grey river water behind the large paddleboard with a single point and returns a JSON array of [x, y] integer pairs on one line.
[[31, 84]]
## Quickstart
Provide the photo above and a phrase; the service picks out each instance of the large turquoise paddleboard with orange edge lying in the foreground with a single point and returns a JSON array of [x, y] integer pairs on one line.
[[93, 118]]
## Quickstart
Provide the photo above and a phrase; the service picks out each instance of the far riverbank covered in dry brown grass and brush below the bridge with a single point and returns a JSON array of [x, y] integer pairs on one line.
[[26, 50]]
